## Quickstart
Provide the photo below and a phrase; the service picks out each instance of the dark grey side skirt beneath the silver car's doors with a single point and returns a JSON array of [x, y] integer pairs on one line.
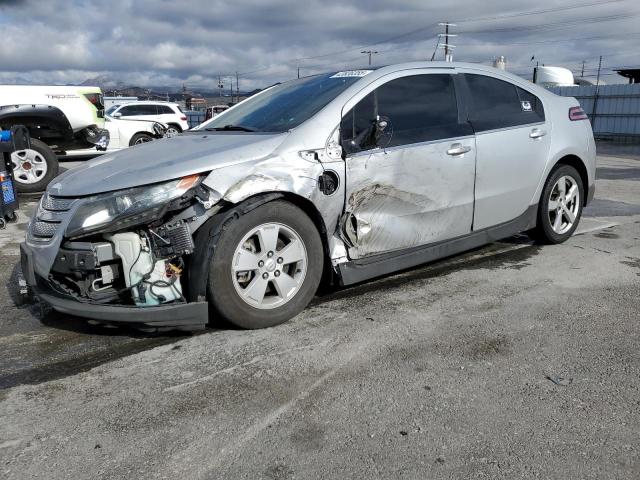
[[363, 269]]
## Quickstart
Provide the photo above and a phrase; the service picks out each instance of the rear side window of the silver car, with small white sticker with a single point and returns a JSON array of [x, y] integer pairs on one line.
[[497, 104]]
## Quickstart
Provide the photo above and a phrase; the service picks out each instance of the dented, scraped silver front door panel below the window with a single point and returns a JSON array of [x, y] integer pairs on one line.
[[408, 197]]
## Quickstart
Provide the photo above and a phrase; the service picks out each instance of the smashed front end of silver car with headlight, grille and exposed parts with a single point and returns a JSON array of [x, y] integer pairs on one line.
[[120, 257]]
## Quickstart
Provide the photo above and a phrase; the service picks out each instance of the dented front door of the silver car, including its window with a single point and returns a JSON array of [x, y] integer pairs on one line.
[[418, 189]]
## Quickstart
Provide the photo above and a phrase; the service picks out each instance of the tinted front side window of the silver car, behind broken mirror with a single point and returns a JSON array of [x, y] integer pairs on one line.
[[419, 108]]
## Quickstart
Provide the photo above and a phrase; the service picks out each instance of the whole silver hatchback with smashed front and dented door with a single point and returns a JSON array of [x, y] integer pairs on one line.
[[340, 177]]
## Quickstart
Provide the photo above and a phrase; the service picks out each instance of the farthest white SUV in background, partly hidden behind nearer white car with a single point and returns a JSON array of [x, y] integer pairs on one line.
[[167, 113]]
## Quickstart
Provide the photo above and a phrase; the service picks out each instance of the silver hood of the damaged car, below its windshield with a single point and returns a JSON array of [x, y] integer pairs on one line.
[[163, 160]]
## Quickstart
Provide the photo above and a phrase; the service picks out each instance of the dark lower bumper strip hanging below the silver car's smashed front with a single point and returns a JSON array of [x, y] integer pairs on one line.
[[186, 316]]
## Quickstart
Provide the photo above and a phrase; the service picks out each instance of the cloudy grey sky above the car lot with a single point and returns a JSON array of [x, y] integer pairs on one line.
[[170, 42]]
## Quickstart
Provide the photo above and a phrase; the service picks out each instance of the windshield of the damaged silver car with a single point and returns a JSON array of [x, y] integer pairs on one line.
[[284, 106]]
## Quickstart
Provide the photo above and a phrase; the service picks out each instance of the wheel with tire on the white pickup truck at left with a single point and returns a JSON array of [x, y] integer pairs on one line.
[[34, 168]]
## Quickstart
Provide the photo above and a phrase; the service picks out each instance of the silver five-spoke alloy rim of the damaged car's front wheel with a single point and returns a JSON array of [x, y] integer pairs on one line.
[[269, 266]]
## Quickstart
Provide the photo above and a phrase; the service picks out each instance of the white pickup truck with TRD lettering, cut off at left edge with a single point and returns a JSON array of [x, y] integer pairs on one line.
[[59, 119]]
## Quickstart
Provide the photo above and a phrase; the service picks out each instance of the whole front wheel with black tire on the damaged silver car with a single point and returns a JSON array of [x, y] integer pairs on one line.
[[266, 266]]
